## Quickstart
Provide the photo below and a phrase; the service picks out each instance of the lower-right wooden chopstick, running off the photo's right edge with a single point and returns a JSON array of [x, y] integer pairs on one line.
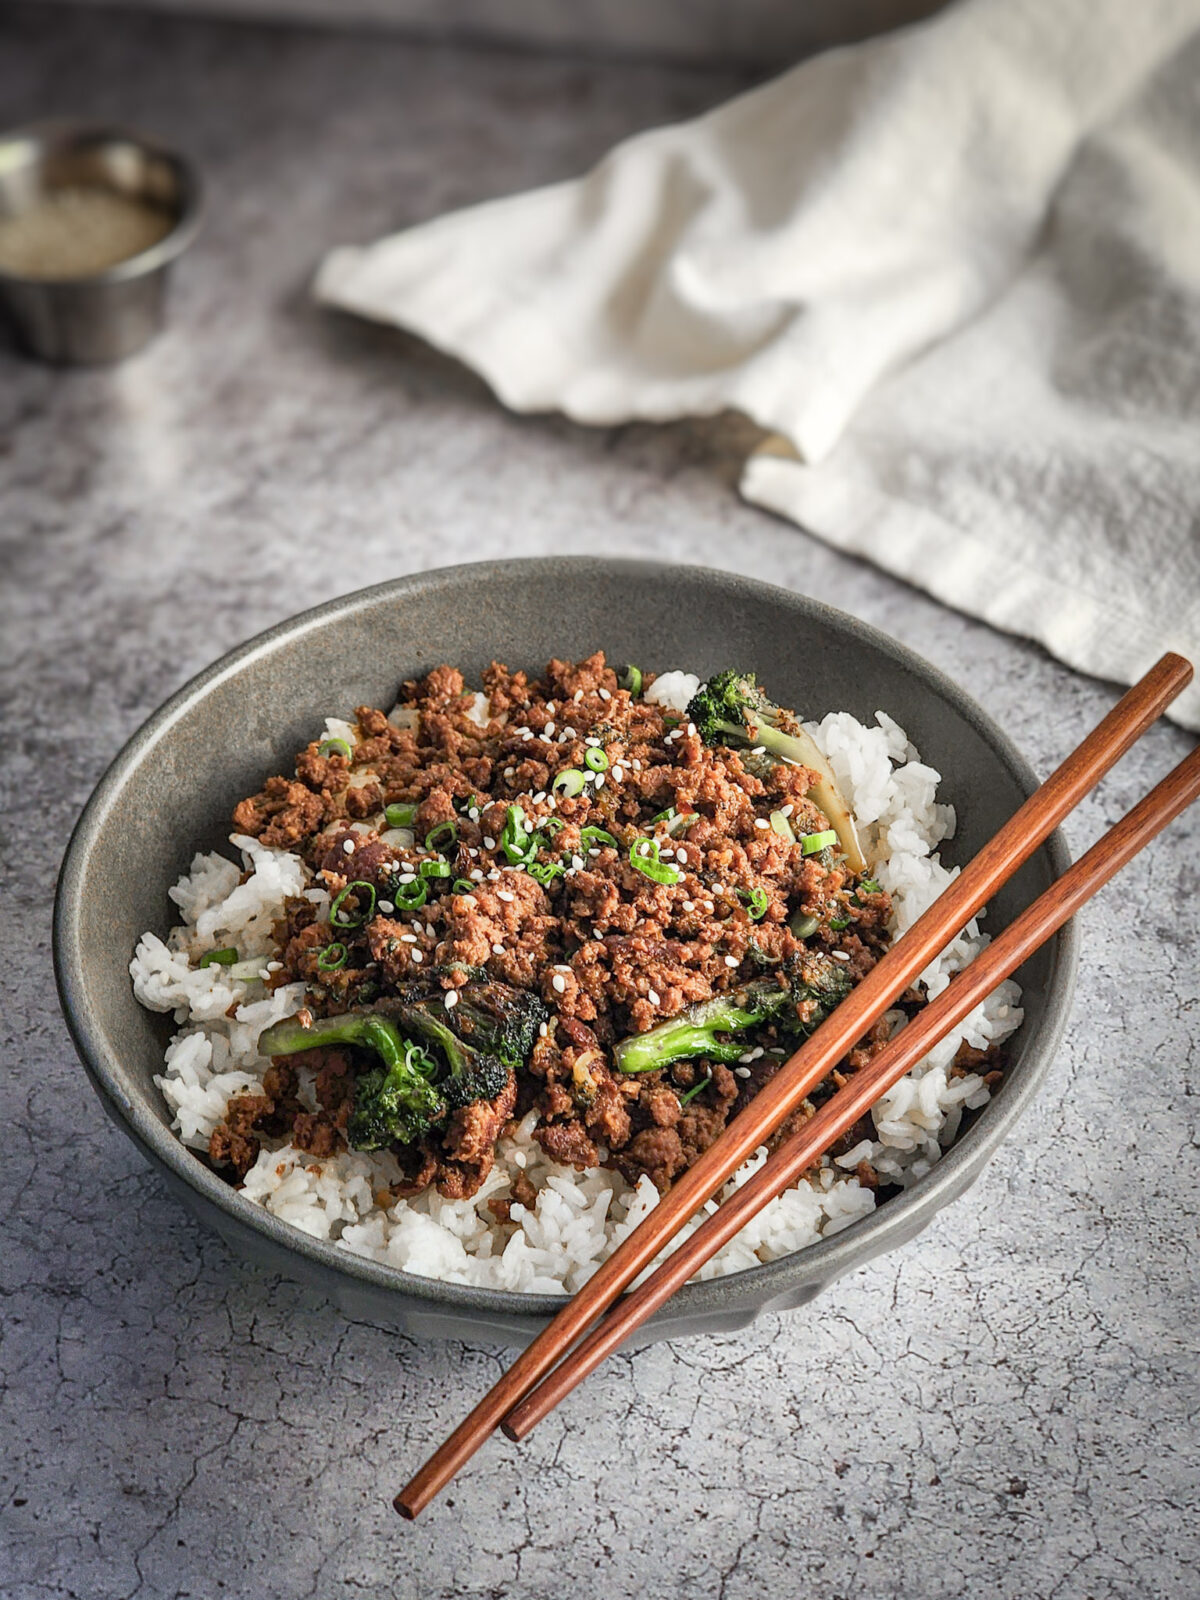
[[1031, 930]]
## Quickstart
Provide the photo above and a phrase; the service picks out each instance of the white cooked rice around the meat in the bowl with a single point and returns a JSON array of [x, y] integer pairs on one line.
[[578, 1218]]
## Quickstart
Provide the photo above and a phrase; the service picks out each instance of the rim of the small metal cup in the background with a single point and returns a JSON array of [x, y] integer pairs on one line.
[[38, 138]]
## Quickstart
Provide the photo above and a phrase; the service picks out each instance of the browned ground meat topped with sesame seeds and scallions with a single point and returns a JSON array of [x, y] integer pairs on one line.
[[607, 948]]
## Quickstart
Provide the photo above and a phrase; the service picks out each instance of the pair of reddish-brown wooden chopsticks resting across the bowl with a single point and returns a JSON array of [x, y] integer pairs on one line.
[[554, 1362]]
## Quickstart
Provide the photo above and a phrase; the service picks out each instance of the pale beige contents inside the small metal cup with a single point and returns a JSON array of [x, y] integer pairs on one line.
[[78, 231]]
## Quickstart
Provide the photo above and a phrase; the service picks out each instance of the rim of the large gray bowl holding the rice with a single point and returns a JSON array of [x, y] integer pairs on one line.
[[764, 1286]]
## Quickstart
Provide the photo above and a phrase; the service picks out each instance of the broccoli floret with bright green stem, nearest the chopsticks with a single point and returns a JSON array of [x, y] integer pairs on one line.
[[814, 988]]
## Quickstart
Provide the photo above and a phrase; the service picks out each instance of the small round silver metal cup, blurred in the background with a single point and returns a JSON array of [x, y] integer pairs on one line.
[[114, 313]]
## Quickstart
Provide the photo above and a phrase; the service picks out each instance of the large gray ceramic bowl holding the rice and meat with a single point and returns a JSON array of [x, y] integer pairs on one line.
[[172, 788]]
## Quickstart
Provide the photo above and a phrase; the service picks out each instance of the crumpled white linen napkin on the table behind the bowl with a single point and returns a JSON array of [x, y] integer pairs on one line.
[[954, 271]]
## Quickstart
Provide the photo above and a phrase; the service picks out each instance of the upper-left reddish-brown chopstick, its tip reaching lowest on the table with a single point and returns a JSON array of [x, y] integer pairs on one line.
[[975, 886]]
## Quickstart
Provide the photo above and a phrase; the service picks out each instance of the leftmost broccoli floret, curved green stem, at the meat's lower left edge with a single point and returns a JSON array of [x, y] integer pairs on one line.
[[394, 1103]]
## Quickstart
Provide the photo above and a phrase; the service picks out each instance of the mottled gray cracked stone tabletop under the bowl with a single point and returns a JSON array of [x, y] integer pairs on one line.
[[1002, 1409]]
